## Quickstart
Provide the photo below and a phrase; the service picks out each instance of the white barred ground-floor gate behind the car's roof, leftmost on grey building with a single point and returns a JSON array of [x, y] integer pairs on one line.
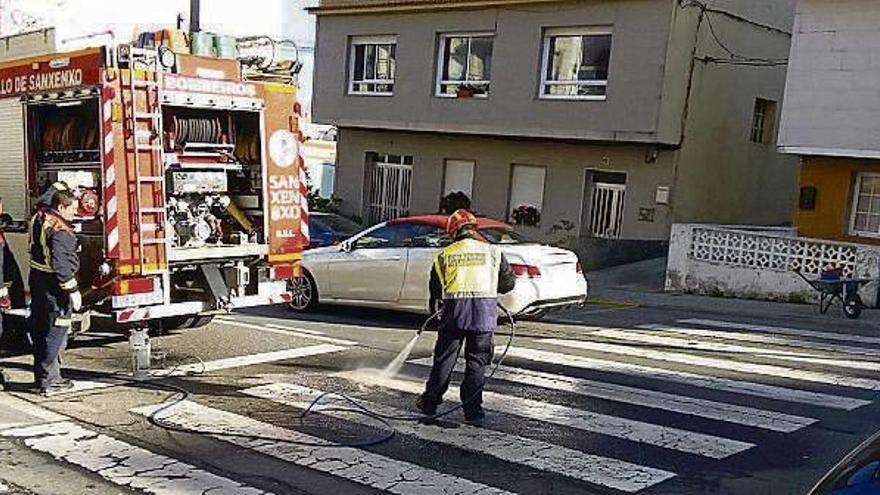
[[390, 191]]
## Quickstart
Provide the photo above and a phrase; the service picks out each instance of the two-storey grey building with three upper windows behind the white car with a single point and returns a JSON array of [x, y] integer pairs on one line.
[[592, 123]]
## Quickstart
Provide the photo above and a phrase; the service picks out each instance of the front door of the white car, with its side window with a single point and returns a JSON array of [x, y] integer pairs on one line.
[[374, 267]]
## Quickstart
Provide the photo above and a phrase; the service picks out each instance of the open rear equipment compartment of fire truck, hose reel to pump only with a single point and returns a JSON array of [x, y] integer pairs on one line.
[[215, 181]]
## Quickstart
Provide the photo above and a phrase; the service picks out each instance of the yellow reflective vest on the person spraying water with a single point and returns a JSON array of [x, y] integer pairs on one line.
[[468, 269]]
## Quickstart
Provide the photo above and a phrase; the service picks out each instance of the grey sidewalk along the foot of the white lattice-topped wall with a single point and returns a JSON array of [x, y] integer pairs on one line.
[[642, 284]]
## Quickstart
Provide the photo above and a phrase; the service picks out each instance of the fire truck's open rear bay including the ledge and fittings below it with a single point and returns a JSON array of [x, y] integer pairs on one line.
[[215, 203]]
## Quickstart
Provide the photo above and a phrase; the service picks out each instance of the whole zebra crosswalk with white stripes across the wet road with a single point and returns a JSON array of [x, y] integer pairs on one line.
[[670, 399]]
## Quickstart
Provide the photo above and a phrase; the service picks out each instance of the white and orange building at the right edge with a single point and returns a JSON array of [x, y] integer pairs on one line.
[[831, 118]]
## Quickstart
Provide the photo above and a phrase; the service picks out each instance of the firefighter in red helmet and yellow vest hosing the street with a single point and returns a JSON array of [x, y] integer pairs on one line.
[[469, 275]]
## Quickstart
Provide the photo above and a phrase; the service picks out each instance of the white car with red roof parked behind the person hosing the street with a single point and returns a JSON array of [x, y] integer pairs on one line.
[[389, 266]]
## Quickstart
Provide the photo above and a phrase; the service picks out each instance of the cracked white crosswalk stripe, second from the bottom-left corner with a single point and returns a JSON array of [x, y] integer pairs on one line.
[[355, 465]]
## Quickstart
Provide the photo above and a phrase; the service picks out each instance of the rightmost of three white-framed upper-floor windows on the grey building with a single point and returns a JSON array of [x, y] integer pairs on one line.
[[576, 63]]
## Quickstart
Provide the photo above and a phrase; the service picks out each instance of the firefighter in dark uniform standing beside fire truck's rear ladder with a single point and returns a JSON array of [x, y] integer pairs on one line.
[[54, 291]]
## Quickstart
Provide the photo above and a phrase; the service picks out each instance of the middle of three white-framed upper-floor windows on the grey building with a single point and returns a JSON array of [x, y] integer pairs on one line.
[[465, 64]]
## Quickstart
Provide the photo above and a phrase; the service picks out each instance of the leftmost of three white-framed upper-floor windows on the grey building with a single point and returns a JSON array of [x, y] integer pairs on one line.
[[372, 65]]
